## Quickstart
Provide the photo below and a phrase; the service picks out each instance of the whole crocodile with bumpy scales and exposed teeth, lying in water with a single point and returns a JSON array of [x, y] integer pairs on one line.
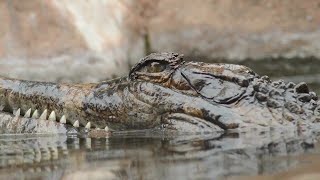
[[162, 91]]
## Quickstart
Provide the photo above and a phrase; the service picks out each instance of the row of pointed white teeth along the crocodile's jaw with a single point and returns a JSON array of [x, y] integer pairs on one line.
[[52, 117]]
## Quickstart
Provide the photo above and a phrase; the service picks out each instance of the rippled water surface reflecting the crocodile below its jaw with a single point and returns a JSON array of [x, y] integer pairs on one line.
[[152, 156]]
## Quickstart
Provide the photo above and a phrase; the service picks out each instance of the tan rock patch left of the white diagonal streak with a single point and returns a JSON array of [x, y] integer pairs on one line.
[[36, 29]]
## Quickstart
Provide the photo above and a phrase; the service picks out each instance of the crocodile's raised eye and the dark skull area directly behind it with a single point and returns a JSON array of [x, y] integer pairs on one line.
[[220, 83]]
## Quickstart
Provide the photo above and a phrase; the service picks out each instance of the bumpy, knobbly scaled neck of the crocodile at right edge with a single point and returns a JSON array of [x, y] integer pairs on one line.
[[271, 104]]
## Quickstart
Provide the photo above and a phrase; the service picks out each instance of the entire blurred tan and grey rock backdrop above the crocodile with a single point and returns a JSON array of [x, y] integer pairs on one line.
[[91, 40]]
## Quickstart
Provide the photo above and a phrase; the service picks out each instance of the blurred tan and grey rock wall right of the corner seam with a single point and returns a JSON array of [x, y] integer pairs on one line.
[[237, 29]]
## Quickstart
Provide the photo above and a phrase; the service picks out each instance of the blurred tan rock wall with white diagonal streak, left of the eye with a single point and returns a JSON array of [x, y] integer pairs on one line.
[[62, 40]]
